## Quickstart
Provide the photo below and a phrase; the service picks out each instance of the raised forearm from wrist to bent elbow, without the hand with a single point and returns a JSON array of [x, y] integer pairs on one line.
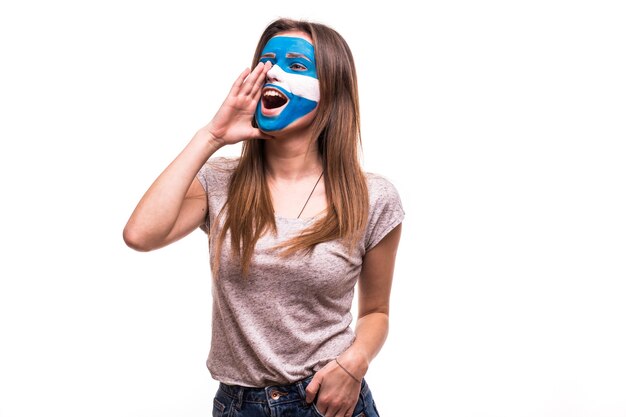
[[157, 211]]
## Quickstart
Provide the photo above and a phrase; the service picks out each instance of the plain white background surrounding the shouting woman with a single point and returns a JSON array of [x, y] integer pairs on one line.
[[501, 123]]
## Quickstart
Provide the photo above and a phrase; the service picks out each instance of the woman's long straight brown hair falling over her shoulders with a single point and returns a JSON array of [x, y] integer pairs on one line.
[[248, 210]]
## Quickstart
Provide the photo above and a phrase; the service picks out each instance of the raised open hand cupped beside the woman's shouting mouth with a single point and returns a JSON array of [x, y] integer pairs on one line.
[[233, 121]]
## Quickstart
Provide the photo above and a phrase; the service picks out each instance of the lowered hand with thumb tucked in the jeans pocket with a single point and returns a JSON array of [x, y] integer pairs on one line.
[[337, 392]]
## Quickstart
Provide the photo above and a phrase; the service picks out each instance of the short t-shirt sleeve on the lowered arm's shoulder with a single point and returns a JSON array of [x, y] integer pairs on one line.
[[386, 210]]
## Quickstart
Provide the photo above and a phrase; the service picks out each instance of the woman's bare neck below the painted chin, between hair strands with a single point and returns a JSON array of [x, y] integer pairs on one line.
[[292, 158]]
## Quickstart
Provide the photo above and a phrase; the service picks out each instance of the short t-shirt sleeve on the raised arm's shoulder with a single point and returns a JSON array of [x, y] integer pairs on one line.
[[214, 176]]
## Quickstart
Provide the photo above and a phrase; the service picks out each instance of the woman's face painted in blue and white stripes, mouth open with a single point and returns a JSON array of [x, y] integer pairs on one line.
[[292, 88]]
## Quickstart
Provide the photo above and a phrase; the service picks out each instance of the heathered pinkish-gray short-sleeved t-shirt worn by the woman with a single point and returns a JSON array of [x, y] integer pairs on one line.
[[290, 316]]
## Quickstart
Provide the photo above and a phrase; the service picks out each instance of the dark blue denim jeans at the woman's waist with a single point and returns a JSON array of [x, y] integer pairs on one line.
[[279, 401]]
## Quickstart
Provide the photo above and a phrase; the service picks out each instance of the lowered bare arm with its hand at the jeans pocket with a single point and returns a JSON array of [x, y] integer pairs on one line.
[[337, 391]]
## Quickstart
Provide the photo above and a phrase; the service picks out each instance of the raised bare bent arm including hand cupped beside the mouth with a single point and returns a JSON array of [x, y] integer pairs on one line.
[[175, 204]]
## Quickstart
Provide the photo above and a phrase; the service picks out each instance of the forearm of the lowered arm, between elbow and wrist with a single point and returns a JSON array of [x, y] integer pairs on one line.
[[371, 333]]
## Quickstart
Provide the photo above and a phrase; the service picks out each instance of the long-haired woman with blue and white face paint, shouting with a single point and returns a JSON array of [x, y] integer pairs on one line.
[[293, 224]]
